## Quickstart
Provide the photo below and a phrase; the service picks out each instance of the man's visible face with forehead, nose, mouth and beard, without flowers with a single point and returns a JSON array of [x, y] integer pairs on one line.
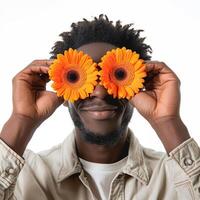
[[100, 118]]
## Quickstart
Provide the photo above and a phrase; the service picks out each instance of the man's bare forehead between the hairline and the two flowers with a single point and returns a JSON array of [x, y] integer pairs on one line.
[[96, 49]]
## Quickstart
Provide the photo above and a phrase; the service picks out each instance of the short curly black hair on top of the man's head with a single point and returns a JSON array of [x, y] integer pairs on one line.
[[101, 29]]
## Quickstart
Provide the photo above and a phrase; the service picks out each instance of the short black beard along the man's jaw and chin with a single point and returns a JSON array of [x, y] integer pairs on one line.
[[110, 138]]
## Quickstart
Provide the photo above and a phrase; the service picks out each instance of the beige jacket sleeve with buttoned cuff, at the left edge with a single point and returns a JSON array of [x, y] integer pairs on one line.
[[10, 166]]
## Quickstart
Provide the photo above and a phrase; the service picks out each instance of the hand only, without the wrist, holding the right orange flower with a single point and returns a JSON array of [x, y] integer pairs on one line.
[[161, 97]]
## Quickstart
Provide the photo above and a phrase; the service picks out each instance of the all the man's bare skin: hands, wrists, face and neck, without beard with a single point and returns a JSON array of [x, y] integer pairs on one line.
[[158, 104]]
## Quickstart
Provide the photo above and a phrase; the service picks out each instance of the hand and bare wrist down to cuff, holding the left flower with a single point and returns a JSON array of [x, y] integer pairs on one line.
[[32, 104]]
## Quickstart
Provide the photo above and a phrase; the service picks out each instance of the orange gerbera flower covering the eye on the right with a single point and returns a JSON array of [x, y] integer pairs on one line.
[[122, 73]]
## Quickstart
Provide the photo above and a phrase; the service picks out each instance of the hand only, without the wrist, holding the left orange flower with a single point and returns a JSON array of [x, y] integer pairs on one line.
[[30, 98]]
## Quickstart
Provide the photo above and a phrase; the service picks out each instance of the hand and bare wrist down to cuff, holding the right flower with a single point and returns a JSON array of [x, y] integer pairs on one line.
[[159, 104]]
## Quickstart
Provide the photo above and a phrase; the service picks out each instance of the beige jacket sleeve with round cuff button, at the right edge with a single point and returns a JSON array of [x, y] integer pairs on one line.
[[187, 155]]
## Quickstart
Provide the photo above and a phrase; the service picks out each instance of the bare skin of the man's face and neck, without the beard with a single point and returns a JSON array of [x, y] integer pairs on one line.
[[98, 124]]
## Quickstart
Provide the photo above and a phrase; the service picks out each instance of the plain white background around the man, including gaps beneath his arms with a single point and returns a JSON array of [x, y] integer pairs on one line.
[[30, 28]]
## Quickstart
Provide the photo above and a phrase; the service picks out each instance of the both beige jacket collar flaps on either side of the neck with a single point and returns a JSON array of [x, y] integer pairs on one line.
[[136, 165]]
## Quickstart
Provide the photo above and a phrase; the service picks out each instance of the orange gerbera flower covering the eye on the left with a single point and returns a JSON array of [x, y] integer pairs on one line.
[[74, 75]]
